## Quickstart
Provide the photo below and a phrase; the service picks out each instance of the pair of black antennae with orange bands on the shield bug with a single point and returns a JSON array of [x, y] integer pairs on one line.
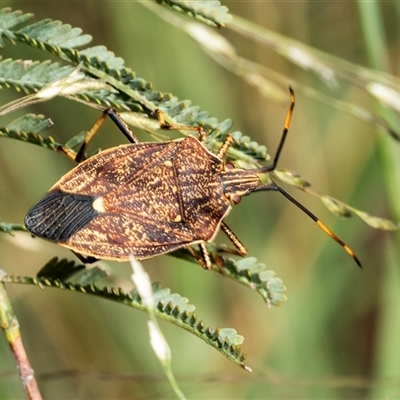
[[273, 186]]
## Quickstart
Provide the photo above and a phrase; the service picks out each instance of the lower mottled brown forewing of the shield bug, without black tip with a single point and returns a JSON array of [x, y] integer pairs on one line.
[[118, 235]]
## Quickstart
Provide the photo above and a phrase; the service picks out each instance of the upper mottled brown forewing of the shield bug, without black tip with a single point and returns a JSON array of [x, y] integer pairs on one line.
[[115, 167]]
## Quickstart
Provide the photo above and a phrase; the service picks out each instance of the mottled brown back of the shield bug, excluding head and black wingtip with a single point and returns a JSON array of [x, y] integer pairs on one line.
[[156, 198]]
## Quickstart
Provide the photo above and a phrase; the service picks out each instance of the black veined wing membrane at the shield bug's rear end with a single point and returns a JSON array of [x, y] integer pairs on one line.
[[59, 215]]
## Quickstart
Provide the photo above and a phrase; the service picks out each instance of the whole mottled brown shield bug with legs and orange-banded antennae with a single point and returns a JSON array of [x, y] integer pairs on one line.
[[147, 199]]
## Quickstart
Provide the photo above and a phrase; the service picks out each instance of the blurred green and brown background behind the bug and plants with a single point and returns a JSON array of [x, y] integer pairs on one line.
[[338, 335]]
